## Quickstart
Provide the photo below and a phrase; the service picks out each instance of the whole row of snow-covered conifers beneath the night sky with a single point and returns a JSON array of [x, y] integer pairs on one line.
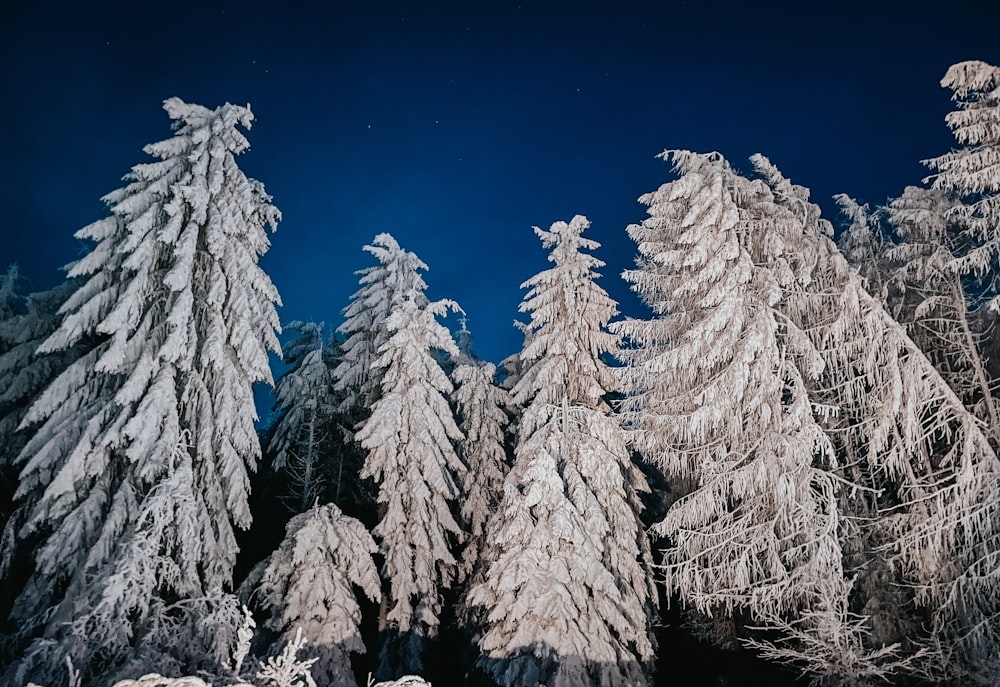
[[796, 445]]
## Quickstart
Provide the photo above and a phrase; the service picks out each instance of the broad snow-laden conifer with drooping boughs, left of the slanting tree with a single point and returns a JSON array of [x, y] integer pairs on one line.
[[717, 397]]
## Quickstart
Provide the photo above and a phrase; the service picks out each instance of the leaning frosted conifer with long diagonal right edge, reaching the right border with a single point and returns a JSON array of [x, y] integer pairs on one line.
[[907, 438]]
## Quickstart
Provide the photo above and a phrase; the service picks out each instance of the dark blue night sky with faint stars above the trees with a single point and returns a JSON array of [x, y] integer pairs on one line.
[[456, 126]]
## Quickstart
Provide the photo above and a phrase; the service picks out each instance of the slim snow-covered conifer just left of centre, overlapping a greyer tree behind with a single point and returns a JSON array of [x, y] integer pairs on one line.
[[410, 440]]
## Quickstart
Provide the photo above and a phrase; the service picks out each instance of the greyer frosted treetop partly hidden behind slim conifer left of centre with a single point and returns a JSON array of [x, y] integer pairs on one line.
[[384, 286]]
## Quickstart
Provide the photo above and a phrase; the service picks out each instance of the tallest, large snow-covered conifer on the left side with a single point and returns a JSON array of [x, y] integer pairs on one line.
[[136, 471]]
